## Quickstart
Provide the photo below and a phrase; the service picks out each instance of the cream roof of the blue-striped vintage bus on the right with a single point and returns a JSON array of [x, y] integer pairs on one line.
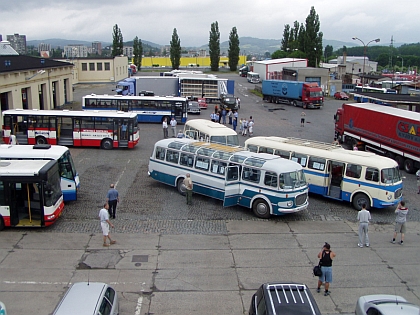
[[322, 150]]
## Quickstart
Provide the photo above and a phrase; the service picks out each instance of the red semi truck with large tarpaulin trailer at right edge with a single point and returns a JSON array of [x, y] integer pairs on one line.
[[388, 131]]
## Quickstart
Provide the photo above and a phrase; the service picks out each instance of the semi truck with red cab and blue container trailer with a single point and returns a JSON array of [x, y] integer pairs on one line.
[[296, 93]]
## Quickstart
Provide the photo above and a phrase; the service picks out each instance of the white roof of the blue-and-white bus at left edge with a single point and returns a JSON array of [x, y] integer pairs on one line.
[[31, 151]]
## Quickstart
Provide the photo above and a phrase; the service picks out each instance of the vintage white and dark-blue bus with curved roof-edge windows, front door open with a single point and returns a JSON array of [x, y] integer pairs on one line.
[[267, 184]]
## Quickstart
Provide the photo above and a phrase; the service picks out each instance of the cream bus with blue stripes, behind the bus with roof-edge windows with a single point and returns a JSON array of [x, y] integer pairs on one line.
[[355, 176]]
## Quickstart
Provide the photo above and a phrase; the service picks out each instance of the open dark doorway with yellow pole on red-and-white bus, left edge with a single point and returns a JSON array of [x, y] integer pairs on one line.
[[25, 205]]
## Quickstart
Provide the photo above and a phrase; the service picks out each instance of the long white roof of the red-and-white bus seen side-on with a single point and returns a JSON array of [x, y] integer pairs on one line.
[[69, 113]]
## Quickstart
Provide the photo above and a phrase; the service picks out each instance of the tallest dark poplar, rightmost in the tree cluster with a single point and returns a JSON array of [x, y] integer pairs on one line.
[[313, 39]]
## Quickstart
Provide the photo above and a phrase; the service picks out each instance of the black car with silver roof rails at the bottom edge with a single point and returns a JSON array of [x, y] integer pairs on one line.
[[283, 298]]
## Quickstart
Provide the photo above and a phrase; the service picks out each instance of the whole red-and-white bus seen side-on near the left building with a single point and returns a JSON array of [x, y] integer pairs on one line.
[[107, 130]]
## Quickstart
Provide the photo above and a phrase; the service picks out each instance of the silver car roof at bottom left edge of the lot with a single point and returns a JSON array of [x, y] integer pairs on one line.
[[87, 298]]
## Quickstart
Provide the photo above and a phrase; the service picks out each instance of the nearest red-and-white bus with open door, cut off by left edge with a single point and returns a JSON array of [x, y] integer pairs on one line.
[[30, 194]]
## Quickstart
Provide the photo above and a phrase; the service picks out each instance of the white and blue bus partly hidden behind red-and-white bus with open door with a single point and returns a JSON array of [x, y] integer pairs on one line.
[[70, 181]]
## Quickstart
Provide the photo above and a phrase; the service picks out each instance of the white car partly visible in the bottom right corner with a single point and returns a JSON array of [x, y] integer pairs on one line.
[[384, 304]]
